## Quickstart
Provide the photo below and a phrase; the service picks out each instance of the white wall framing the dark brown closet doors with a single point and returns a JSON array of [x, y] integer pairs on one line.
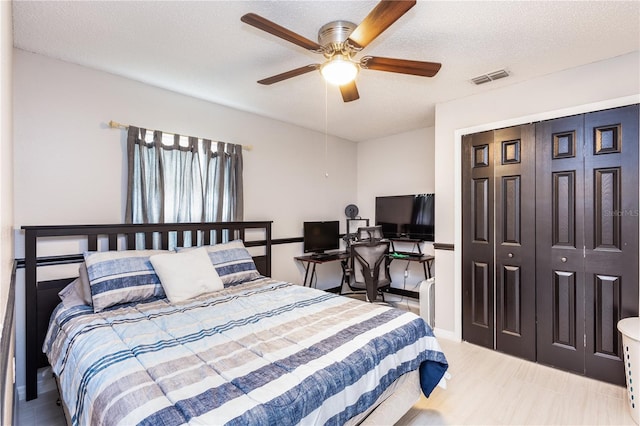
[[592, 87]]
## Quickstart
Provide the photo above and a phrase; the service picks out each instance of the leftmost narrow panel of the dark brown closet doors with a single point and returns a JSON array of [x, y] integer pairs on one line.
[[477, 239]]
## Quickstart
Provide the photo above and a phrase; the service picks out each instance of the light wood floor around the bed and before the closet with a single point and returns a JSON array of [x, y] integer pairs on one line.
[[486, 388]]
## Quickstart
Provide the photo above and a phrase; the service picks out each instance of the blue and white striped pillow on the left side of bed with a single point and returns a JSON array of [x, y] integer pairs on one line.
[[117, 277]]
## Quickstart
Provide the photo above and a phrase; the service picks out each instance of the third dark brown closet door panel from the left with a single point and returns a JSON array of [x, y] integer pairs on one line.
[[560, 242]]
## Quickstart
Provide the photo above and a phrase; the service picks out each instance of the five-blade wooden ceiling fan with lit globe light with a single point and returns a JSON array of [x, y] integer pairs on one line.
[[340, 41]]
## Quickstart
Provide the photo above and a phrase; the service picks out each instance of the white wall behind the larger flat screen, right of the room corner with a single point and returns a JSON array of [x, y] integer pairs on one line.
[[401, 164]]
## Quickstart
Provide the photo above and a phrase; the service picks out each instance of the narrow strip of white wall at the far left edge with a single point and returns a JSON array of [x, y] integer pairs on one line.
[[6, 177]]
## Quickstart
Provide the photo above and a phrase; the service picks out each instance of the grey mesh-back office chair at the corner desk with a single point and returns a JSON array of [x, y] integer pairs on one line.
[[370, 268]]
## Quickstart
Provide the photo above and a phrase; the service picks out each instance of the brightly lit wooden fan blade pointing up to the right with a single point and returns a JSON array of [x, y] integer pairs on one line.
[[379, 19]]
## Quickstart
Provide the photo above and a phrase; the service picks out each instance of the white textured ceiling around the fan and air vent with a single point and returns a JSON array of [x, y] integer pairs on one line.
[[202, 49]]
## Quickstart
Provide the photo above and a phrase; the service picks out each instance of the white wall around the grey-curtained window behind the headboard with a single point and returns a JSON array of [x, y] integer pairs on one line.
[[70, 167]]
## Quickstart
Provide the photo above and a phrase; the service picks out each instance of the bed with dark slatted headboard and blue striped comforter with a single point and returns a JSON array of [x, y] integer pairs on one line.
[[253, 350]]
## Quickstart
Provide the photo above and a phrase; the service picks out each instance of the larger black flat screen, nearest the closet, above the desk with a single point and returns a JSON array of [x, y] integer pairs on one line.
[[406, 216]]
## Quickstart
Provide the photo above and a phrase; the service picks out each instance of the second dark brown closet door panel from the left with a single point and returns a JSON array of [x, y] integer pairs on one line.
[[515, 283]]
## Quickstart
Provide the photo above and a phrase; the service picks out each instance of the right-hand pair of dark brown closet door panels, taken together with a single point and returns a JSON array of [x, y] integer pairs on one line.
[[587, 239]]
